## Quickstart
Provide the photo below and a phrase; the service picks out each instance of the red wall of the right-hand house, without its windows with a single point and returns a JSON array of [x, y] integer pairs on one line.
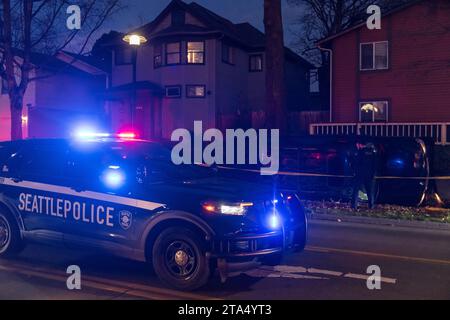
[[417, 83]]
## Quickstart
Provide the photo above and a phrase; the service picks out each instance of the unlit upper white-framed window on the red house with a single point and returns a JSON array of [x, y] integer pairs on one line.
[[374, 56]]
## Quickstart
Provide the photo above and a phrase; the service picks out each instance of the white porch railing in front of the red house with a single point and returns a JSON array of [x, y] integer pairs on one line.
[[439, 132]]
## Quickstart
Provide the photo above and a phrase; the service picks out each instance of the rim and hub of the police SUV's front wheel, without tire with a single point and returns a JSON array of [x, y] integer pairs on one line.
[[180, 259]]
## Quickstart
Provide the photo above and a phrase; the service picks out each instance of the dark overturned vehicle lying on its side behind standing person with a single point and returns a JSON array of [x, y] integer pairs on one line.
[[321, 168]]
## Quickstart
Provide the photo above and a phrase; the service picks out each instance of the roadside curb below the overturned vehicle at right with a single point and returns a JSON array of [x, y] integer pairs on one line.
[[382, 222]]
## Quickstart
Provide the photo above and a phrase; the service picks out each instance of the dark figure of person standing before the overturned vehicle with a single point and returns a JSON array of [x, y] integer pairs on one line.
[[365, 166]]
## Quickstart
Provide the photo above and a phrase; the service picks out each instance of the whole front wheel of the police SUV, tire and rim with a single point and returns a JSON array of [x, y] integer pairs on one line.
[[179, 259]]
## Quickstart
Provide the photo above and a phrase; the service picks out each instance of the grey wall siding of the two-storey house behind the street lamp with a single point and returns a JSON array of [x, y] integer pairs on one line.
[[232, 91]]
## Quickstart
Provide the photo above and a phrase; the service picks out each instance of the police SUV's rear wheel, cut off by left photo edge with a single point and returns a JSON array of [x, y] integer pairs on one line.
[[10, 240]]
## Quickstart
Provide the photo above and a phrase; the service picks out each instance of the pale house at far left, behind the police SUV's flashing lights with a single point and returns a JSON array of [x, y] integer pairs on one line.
[[65, 91]]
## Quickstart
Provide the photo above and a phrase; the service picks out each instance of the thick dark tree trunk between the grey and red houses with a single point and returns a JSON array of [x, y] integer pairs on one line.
[[276, 113]]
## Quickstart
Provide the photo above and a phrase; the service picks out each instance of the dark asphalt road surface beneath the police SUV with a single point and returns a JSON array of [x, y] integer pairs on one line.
[[414, 264]]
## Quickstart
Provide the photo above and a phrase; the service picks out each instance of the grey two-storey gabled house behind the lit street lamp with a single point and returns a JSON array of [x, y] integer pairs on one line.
[[195, 65]]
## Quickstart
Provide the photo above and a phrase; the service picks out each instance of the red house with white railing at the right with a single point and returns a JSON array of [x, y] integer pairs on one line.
[[396, 80]]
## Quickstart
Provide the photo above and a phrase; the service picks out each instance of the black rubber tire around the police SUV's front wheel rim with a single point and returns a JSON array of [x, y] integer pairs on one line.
[[199, 277]]
